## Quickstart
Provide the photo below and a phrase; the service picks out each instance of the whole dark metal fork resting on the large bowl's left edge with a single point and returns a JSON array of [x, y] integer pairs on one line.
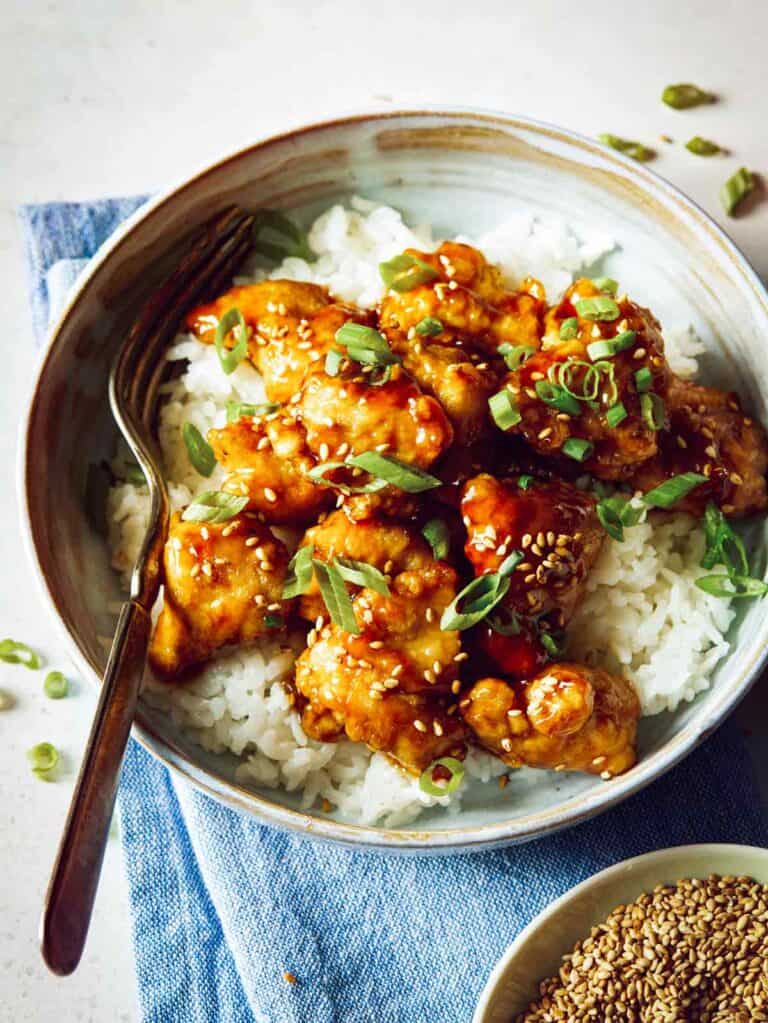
[[134, 383]]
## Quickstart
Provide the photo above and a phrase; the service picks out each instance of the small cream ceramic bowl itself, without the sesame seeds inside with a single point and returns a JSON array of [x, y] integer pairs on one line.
[[537, 952]]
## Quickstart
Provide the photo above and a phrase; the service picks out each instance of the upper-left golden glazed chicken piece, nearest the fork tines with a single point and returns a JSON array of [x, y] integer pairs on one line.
[[293, 326]]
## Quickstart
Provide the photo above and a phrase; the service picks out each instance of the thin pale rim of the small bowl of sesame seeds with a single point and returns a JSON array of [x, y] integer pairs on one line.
[[659, 857]]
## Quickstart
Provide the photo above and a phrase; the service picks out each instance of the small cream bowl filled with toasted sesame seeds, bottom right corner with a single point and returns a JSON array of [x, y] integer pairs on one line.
[[679, 935]]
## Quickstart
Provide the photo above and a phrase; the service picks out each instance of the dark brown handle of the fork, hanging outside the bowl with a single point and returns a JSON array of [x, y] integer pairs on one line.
[[72, 891]]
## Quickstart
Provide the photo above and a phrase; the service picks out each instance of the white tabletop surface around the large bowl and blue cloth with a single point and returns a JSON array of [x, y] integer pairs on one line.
[[106, 99]]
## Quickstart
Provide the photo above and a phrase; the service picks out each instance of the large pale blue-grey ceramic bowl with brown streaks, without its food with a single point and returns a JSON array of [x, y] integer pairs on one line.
[[464, 172]]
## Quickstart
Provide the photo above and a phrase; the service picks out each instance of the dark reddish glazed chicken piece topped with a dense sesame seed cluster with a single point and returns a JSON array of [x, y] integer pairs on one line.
[[554, 524]]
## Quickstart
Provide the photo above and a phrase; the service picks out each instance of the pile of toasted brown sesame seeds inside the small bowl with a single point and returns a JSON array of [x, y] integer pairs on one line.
[[695, 951]]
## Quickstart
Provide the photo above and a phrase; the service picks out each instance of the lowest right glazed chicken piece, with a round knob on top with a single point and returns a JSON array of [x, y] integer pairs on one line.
[[568, 718]]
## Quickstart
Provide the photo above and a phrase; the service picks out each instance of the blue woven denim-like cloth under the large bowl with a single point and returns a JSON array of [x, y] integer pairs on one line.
[[222, 906]]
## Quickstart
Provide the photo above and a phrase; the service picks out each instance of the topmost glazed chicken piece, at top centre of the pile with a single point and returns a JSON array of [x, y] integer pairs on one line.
[[460, 366]]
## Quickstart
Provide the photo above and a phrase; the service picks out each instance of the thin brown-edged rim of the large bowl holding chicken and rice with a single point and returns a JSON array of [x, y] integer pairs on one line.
[[468, 838]]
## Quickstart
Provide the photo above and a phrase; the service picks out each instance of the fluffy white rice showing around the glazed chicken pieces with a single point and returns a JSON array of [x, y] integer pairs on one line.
[[643, 613]]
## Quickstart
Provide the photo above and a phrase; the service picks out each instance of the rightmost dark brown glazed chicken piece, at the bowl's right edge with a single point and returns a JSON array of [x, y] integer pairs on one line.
[[710, 434]]
